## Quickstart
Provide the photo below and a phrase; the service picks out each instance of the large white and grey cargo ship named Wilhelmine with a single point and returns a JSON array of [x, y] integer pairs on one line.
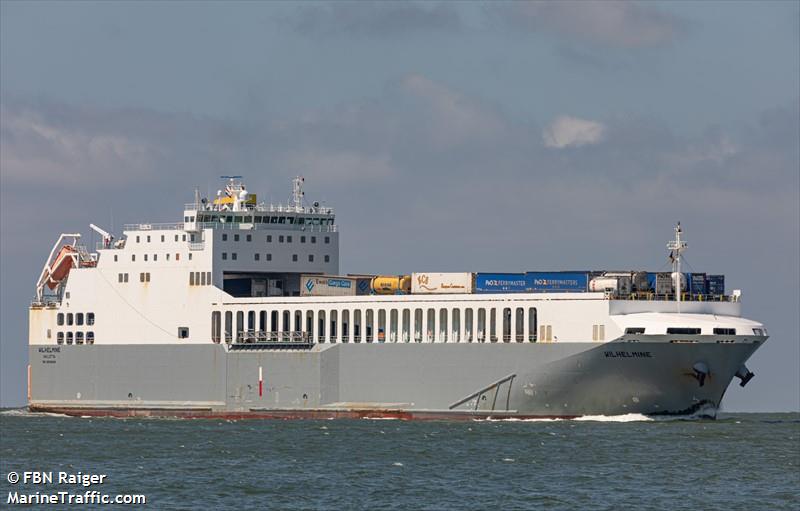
[[240, 310]]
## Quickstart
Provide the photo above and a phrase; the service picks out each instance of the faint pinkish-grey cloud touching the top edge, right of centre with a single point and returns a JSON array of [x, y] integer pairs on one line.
[[622, 24]]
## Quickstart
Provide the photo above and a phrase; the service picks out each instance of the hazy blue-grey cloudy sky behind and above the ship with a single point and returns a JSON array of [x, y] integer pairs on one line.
[[447, 137]]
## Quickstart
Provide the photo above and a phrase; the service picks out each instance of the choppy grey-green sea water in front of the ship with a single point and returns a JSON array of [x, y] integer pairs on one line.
[[740, 461]]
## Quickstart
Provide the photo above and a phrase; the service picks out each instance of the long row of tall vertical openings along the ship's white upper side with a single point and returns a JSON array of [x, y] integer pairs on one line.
[[394, 325]]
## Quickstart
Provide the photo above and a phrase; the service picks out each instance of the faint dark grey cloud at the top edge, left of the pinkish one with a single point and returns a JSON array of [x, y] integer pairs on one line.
[[372, 19]]
